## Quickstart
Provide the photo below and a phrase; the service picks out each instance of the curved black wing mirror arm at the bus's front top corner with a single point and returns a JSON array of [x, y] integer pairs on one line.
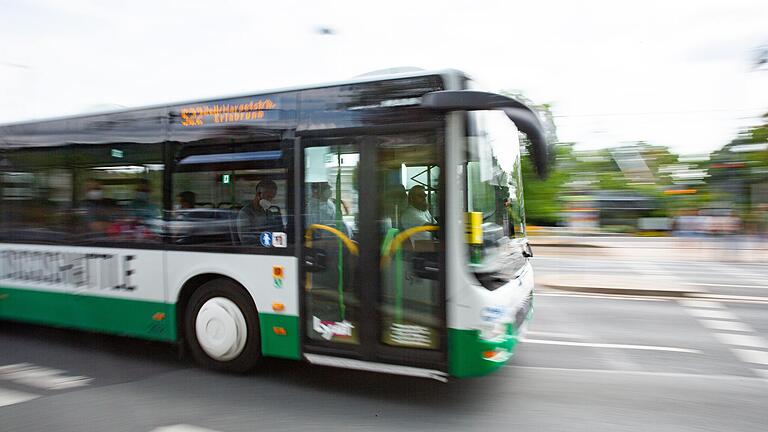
[[526, 120]]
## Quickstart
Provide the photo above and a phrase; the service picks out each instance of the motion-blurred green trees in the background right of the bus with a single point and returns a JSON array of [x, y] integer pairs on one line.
[[735, 176]]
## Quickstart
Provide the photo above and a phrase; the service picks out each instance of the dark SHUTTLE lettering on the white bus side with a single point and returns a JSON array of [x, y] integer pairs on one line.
[[76, 270]]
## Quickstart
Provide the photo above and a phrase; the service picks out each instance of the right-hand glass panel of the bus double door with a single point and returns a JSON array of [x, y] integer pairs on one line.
[[409, 239]]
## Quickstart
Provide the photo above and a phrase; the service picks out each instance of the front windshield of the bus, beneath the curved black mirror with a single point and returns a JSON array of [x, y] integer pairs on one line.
[[494, 189]]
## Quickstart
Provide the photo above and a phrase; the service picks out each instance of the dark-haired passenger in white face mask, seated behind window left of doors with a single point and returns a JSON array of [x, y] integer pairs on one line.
[[260, 214]]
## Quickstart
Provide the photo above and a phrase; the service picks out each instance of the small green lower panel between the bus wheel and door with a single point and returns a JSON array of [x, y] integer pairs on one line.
[[280, 336]]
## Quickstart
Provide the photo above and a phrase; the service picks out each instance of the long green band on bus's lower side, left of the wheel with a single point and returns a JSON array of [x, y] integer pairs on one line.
[[136, 318]]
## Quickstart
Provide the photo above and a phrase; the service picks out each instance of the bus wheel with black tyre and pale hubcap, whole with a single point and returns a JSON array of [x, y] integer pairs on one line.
[[222, 327]]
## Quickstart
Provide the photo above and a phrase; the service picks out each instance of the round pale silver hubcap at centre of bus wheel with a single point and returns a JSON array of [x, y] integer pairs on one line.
[[221, 329]]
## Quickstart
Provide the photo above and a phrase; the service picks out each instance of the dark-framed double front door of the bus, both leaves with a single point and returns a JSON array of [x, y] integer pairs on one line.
[[373, 288]]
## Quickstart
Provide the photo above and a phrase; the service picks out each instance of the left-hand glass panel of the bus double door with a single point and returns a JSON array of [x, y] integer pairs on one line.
[[331, 243]]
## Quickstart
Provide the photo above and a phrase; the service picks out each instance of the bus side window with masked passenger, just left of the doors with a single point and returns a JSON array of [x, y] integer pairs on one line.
[[230, 196]]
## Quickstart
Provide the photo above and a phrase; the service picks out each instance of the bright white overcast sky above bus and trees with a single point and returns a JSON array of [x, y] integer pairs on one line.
[[674, 73]]
